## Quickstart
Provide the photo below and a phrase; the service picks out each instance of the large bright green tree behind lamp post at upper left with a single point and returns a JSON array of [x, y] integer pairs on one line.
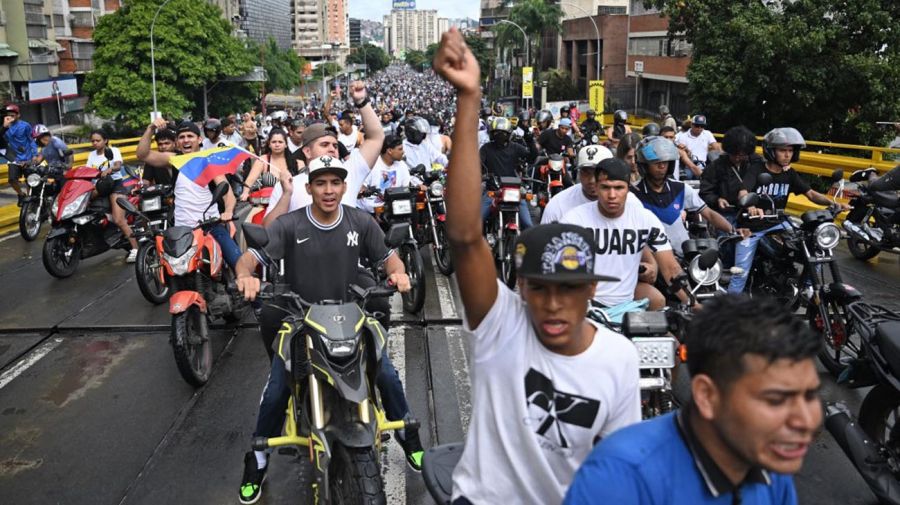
[[193, 47]]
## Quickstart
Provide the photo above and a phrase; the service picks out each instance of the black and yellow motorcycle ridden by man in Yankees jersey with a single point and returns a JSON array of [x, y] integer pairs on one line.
[[332, 351]]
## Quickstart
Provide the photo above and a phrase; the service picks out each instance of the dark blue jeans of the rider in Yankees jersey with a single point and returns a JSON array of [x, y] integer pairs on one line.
[[273, 405]]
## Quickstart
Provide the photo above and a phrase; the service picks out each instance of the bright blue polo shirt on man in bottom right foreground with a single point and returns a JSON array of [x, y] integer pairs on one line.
[[659, 462]]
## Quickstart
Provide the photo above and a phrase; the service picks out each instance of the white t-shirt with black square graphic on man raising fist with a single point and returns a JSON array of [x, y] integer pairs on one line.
[[536, 414]]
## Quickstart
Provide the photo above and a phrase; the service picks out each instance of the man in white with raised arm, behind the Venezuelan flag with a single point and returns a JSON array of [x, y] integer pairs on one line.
[[192, 200]]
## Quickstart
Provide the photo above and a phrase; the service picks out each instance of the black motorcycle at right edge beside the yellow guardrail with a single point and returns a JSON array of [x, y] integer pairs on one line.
[[873, 224]]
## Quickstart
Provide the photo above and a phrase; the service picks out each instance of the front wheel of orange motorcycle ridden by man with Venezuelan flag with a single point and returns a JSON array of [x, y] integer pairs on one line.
[[191, 346]]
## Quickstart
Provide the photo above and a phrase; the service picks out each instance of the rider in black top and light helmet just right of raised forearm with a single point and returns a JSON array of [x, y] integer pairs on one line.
[[502, 158]]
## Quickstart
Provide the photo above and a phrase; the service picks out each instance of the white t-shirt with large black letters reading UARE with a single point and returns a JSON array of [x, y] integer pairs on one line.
[[620, 242]]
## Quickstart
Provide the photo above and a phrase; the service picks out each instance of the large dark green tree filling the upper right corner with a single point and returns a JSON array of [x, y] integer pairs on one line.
[[830, 68]]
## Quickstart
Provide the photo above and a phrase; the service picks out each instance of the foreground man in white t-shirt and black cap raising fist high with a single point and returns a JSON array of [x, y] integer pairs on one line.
[[547, 383]]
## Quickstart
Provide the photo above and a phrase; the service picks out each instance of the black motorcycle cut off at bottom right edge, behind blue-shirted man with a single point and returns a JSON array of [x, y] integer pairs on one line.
[[873, 444]]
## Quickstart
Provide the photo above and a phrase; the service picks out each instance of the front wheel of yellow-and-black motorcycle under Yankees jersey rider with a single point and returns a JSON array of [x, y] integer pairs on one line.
[[354, 476]]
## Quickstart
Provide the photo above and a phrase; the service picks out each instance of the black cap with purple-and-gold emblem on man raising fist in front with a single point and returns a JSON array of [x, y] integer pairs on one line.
[[557, 252]]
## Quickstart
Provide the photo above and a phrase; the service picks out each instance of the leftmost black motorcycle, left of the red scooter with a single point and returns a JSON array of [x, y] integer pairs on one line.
[[42, 183]]
